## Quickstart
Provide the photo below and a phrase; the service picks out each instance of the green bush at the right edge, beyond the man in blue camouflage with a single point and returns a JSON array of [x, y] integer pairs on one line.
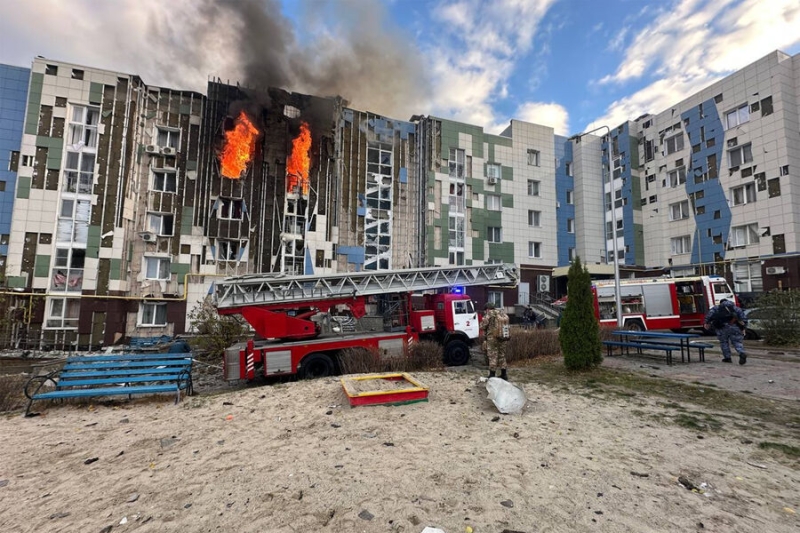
[[779, 317]]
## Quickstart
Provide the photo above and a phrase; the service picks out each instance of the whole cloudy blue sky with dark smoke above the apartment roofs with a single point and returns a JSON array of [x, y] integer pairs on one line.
[[569, 64]]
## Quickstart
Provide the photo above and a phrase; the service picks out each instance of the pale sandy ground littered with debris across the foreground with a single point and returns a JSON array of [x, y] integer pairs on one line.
[[296, 457]]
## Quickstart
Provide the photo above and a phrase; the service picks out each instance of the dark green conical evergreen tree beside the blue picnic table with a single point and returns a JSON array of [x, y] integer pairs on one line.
[[579, 335]]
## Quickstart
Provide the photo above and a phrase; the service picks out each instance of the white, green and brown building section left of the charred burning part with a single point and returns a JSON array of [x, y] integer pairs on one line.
[[100, 242]]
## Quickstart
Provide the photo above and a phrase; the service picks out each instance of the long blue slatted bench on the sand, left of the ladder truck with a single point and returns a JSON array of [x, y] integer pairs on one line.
[[110, 375]]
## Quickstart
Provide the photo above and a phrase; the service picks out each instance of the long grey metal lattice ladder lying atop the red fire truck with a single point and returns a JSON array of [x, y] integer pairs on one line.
[[270, 289]]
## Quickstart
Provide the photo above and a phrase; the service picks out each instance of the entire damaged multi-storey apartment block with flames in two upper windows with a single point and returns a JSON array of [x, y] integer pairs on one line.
[[132, 199]]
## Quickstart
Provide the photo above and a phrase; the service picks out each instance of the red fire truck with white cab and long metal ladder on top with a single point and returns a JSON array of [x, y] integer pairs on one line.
[[307, 322]]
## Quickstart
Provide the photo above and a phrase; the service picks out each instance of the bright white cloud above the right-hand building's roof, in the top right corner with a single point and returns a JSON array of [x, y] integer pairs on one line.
[[693, 44]]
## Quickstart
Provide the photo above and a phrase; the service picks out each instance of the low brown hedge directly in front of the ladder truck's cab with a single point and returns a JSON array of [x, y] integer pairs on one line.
[[423, 355]]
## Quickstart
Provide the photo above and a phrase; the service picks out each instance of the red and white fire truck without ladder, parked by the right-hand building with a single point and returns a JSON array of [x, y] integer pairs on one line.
[[678, 304]]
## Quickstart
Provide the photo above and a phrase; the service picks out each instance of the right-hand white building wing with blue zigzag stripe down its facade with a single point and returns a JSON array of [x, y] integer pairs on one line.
[[718, 191]]
